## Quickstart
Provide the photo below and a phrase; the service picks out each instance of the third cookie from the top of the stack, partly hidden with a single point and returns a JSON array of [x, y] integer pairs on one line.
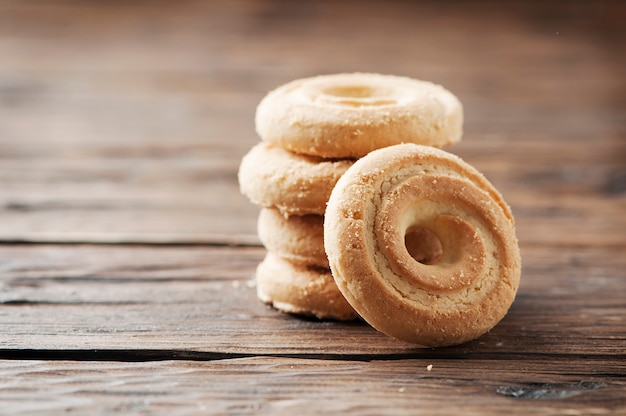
[[298, 238]]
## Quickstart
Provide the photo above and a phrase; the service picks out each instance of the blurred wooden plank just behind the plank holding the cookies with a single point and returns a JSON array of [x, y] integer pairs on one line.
[[196, 202]]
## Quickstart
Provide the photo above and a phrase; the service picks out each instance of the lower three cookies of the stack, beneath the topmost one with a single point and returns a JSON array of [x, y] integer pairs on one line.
[[292, 190]]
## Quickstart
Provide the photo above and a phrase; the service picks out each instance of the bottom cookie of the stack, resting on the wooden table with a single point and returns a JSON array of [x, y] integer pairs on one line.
[[300, 289]]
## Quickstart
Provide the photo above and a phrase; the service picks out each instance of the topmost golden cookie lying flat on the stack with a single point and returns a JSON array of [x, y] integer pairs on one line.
[[349, 115]]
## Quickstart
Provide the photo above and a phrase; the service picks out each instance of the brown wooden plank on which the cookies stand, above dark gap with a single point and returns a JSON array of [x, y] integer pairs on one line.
[[200, 299]]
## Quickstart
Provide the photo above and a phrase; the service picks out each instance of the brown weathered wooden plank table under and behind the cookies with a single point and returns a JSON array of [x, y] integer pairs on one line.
[[127, 254]]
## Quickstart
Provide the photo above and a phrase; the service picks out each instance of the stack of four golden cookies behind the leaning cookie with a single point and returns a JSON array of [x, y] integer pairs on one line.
[[312, 131]]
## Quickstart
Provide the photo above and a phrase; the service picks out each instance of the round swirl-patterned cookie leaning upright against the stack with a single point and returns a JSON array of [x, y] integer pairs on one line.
[[422, 245]]
